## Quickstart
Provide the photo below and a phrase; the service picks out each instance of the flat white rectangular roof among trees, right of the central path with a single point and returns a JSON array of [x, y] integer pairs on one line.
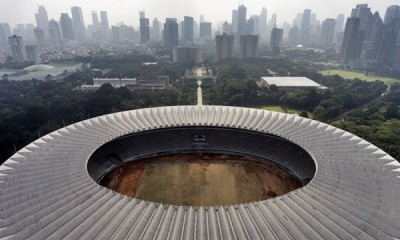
[[291, 82]]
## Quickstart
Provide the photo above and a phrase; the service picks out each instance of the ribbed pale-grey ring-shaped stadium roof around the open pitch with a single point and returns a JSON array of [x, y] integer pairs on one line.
[[47, 193]]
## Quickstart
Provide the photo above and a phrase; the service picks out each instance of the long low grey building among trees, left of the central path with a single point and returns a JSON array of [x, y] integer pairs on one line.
[[141, 83]]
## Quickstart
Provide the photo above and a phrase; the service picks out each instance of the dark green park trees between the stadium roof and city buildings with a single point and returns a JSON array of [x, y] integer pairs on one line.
[[369, 109]]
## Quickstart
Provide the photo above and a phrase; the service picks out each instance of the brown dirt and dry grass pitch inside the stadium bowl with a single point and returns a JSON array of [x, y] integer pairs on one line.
[[200, 180]]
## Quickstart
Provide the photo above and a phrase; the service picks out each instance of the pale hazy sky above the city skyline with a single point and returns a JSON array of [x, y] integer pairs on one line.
[[22, 11]]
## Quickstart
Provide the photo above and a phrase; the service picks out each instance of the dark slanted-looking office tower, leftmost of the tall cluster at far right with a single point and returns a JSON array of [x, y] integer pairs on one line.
[[352, 41]]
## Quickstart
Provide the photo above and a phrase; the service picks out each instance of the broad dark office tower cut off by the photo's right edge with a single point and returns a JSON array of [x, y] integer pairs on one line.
[[386, 42]]
